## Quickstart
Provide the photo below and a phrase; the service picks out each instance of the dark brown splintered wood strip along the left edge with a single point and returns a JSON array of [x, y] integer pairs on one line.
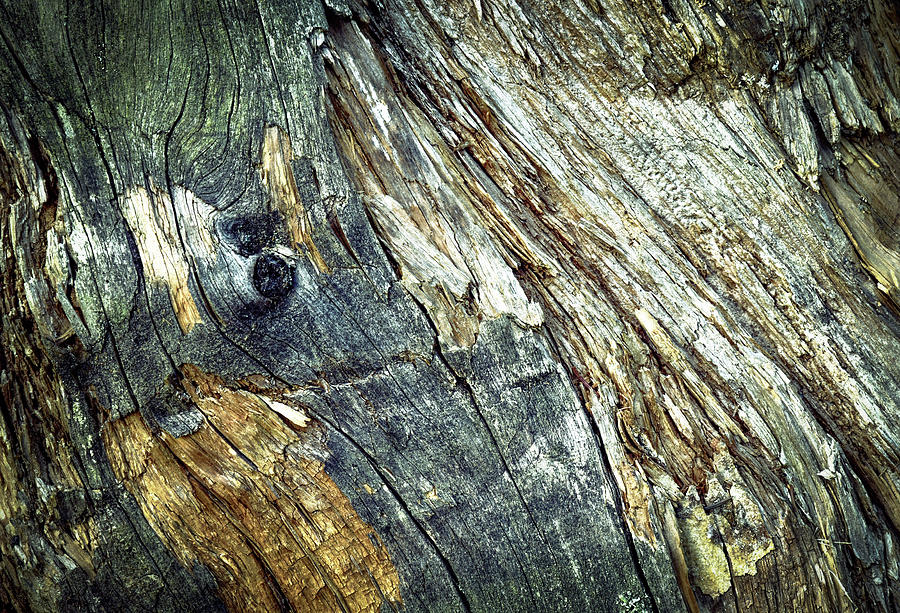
[[40, 471]]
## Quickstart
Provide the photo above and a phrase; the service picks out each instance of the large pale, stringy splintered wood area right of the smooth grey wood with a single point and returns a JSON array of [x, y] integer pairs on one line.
[[710, 316]]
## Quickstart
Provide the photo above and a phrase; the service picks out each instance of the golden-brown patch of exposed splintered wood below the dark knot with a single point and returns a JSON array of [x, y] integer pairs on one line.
[[247, 496]]
